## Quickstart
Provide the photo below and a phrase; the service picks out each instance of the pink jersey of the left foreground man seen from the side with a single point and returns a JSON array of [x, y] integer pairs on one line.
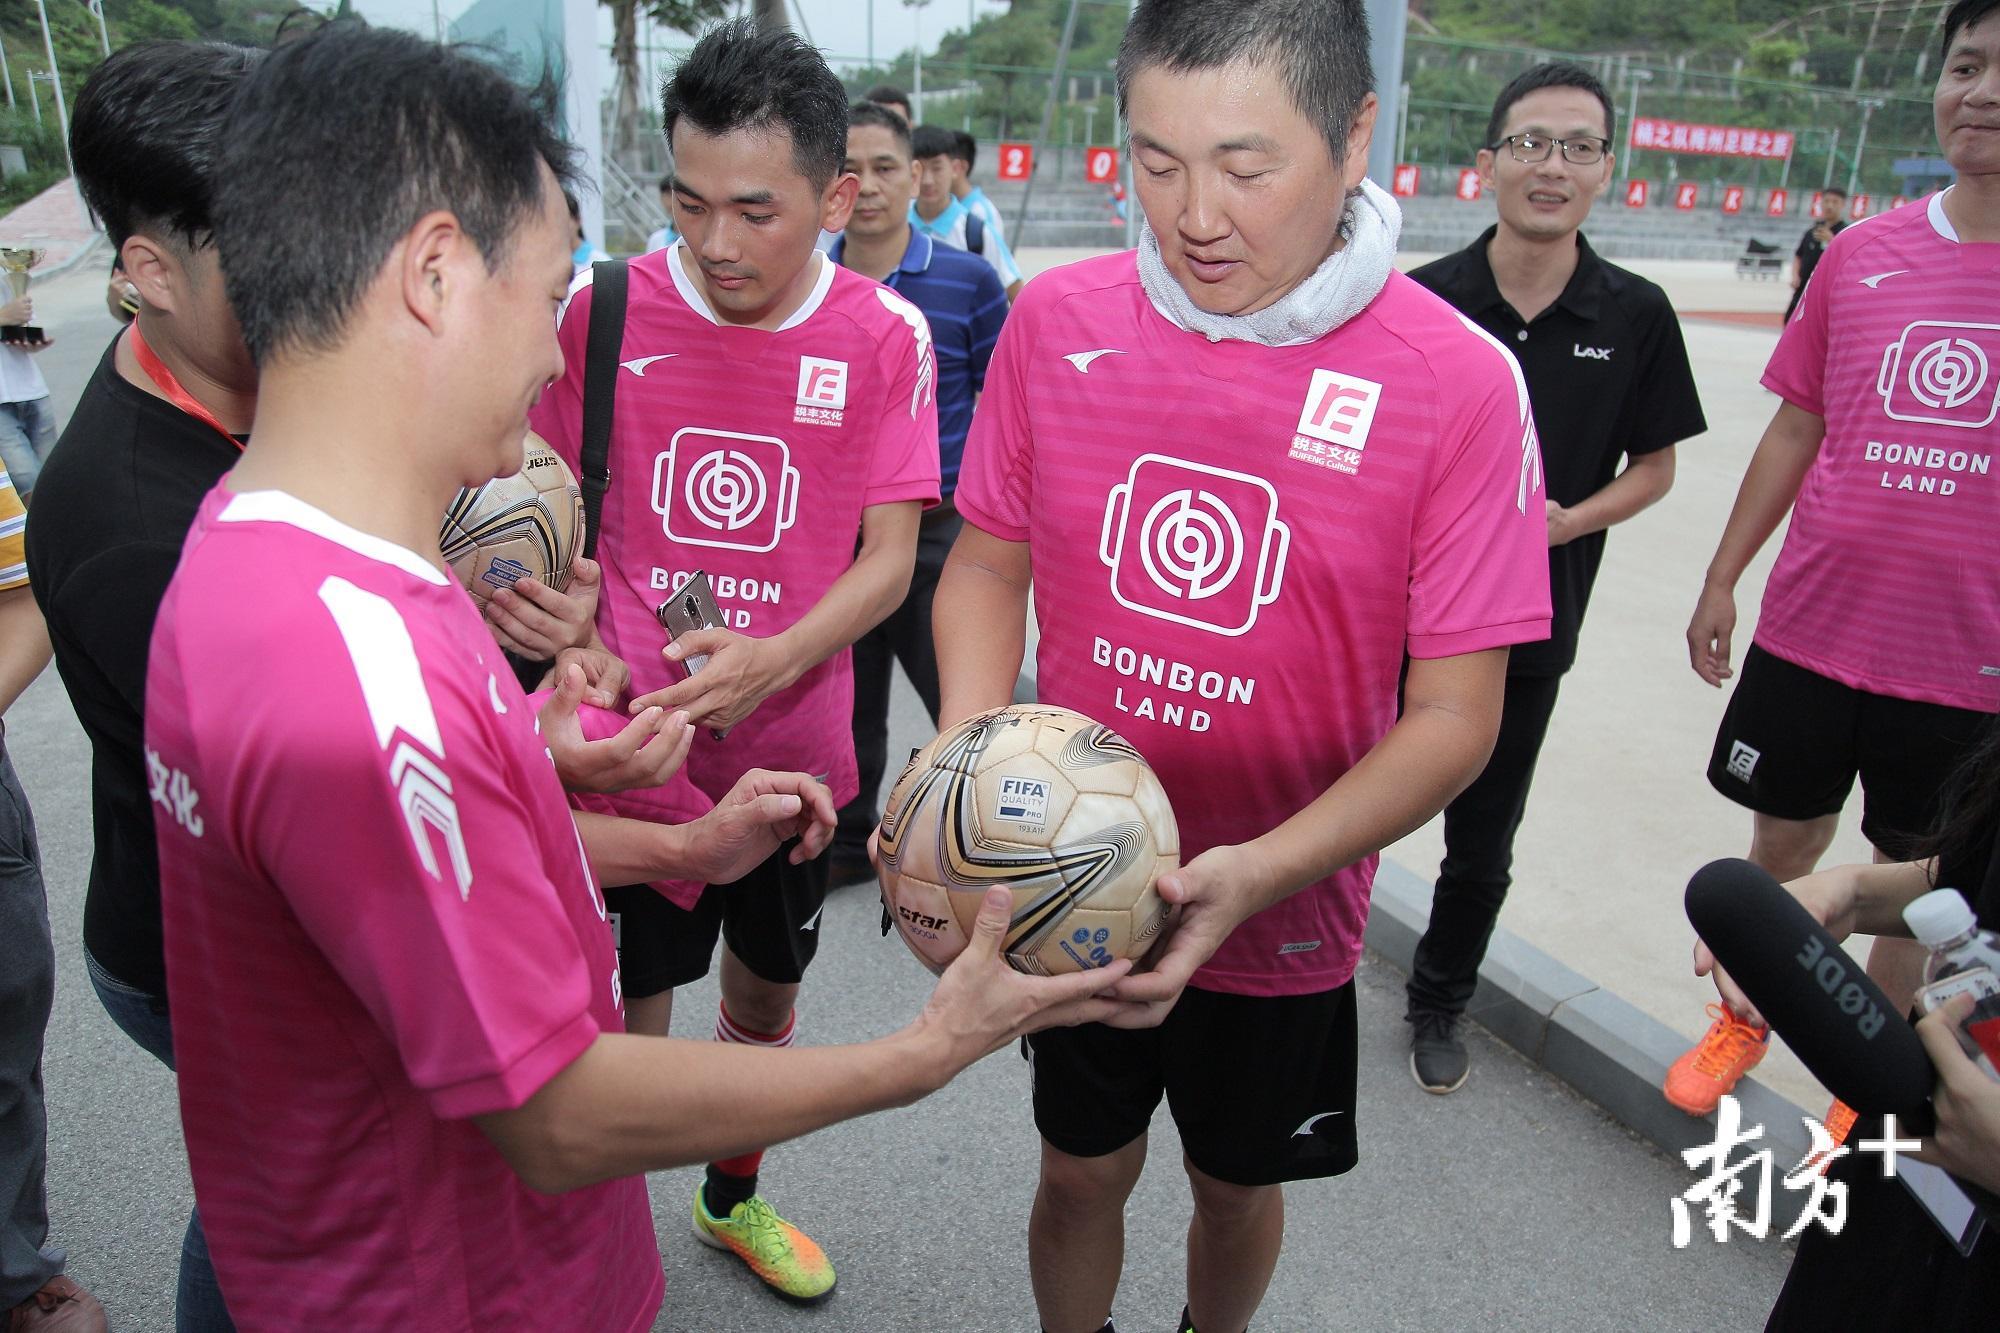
[[379, 924]]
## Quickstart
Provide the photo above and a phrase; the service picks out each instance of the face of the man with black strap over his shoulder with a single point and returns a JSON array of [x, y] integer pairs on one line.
[[751, 219]]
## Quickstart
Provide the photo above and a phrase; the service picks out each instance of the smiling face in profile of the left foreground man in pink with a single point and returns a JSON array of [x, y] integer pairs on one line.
[[517, 331]]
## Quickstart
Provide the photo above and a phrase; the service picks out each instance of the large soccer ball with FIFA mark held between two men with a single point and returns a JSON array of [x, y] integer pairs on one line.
[[1047, 804]]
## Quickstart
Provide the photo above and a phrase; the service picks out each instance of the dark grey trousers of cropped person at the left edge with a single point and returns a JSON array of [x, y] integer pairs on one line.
[[27, 994]]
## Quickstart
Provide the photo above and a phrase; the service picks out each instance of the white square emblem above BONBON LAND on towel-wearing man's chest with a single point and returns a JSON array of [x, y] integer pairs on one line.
[[1195, 545]]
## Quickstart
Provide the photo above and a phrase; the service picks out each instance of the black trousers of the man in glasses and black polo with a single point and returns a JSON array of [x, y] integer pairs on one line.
[[1479, 854]]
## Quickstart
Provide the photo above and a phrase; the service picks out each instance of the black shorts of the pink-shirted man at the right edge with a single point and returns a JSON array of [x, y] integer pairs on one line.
[[1793, 742]]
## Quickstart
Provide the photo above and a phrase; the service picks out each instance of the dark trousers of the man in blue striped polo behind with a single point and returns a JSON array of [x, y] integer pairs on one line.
[[903, 637]]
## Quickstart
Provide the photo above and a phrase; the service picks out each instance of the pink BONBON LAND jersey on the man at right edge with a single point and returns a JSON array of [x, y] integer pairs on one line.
[[1891, 571]]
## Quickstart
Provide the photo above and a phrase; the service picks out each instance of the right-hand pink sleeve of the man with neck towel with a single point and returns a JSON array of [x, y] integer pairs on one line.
[[1479, 561]]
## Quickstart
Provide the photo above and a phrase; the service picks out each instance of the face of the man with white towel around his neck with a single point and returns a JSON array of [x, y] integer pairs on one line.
[[1239, 187]]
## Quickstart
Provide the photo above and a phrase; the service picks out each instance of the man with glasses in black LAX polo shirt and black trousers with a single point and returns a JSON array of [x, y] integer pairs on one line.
[[1609, 377]]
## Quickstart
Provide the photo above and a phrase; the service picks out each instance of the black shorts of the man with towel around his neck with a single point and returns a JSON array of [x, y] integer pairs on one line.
[[1261, 1088]]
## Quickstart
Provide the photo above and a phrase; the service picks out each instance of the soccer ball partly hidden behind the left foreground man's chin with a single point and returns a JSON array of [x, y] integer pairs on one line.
[[517, 527]]
